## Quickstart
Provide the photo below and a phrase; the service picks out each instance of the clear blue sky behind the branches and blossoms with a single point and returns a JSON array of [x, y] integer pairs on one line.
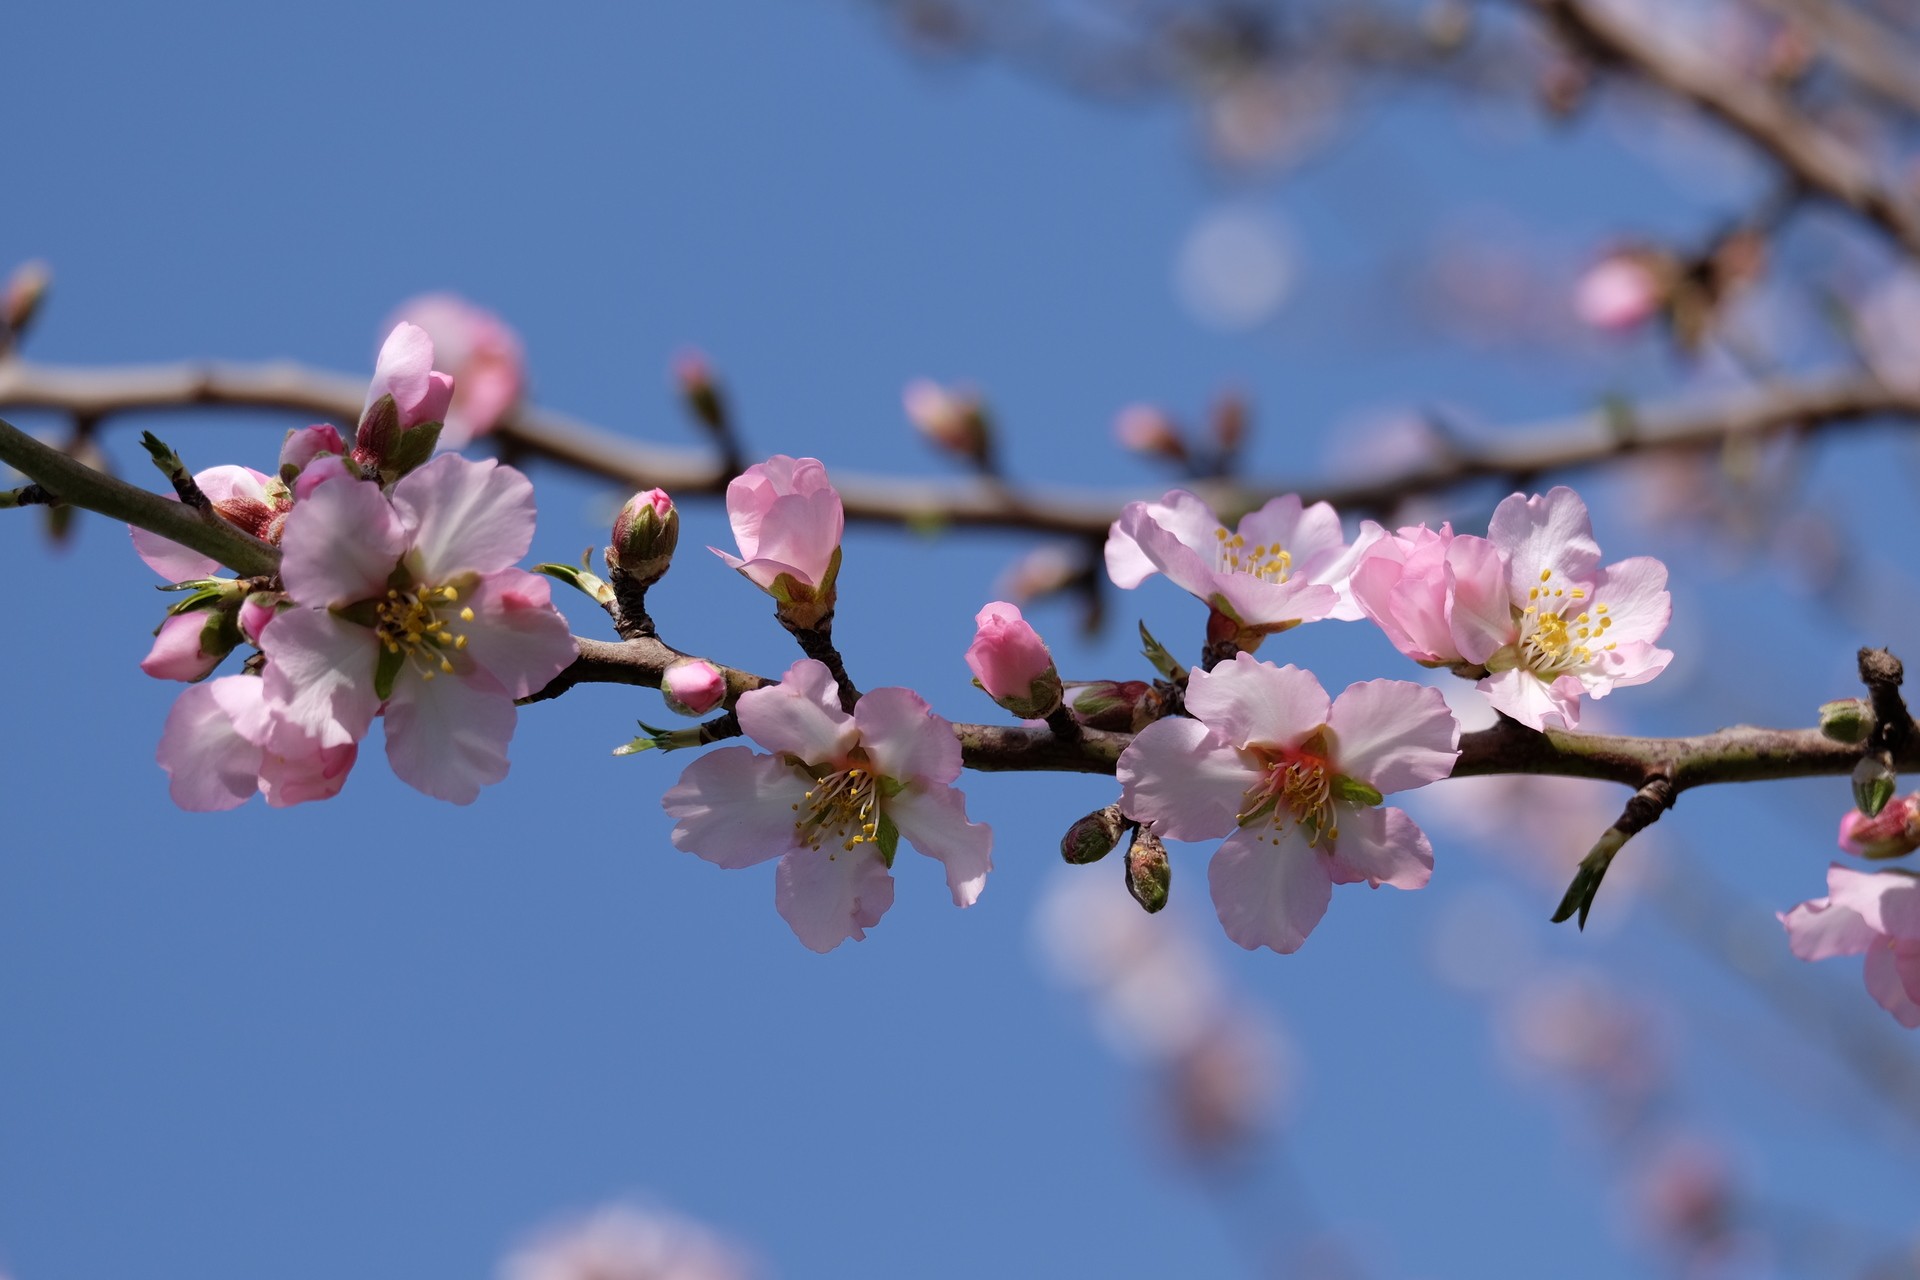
[[383, 1037]]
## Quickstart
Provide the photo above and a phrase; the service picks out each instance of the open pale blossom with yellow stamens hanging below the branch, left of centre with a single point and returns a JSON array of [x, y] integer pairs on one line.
[[832, 803]]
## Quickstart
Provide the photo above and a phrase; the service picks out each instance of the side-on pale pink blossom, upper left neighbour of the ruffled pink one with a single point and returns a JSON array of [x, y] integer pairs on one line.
[[1282, 567]]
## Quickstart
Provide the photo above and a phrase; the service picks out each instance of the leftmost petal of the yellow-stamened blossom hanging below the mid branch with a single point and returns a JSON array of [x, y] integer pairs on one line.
[[736, 809]]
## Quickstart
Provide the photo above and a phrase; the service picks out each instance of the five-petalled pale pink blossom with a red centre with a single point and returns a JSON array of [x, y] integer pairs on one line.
[[1295, 784]]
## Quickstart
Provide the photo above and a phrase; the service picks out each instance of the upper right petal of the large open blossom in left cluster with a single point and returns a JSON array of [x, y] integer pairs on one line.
[[466, 517]]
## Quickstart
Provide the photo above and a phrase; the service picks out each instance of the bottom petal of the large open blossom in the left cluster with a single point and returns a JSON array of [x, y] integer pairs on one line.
[[448, 738]]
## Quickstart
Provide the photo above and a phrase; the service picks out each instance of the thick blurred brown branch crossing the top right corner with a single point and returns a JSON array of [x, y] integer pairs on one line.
[[1767, 118]]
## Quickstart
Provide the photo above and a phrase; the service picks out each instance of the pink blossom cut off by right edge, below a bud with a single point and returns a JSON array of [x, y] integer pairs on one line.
[[1875, 914]]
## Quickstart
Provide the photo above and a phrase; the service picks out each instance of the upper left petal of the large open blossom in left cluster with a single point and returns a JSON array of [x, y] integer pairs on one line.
[[341, 544]]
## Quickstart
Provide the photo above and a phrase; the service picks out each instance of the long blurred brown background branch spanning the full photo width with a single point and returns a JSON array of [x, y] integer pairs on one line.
[[1518, 456]]
